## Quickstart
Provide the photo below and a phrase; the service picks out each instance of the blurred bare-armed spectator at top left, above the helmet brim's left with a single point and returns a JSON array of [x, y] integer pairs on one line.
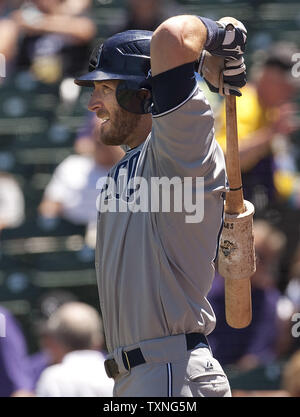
[[54, 37]]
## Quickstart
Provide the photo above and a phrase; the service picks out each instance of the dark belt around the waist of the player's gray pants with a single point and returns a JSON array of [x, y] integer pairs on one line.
[[135, 357]]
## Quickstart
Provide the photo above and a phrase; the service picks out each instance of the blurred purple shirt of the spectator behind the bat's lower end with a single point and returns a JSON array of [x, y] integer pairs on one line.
[[249, 346]]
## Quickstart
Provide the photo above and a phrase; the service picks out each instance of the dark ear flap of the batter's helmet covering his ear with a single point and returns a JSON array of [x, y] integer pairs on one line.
[[133, 98]]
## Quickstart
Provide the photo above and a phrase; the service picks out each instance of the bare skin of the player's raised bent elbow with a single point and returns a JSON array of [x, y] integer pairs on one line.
[[179, 39]]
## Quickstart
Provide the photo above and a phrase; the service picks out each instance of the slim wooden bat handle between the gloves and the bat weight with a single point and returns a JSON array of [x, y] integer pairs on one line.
[[234, 198]]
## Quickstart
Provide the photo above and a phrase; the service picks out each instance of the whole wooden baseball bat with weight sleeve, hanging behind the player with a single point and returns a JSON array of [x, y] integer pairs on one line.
[[236, 255]]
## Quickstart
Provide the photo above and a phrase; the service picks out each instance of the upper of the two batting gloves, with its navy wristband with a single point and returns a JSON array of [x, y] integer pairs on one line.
[[226, 38]]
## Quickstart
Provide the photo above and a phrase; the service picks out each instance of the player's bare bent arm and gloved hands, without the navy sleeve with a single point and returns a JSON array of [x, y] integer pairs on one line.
[[216, 46]]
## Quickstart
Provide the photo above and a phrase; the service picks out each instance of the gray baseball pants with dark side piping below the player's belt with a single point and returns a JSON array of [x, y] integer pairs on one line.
[[171, 370]]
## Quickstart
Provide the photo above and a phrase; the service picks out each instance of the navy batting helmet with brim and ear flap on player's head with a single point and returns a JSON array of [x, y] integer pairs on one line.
[[126, 57]]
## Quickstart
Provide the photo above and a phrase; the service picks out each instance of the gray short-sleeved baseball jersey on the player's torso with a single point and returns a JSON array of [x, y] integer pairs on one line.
[[154, 268]]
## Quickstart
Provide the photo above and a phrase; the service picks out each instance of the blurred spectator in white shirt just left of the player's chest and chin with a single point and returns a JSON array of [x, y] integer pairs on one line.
[[73, 190]]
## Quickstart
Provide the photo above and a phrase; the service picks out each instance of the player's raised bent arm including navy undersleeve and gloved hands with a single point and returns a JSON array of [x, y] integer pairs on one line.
[[183, 44]]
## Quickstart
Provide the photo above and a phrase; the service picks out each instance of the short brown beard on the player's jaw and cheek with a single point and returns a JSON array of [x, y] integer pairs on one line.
[[120, 127]]
